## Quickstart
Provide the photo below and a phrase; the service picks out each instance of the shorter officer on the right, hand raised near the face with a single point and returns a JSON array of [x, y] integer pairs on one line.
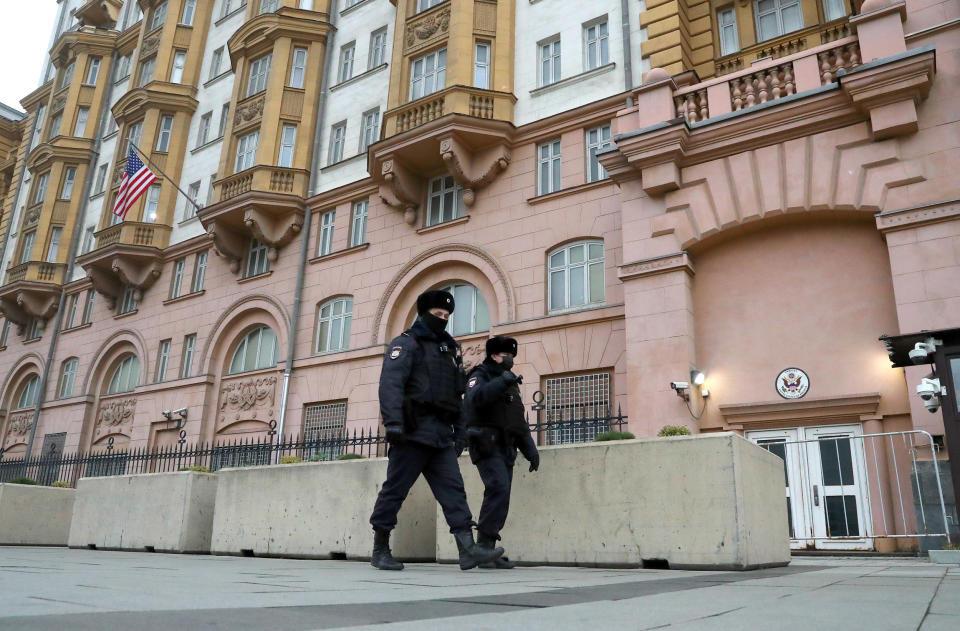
[[496, 428]]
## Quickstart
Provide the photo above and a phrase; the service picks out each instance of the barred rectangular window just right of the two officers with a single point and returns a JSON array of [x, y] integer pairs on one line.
[[580, 405]]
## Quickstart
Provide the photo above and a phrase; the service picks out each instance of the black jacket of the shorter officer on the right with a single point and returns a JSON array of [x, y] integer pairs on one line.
[[495, 410]]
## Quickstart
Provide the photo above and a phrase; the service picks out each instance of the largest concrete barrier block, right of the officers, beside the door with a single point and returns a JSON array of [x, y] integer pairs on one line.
[[712, 501]]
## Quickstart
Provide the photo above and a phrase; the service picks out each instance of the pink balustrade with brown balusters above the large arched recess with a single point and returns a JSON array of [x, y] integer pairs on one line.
[[767, 81]]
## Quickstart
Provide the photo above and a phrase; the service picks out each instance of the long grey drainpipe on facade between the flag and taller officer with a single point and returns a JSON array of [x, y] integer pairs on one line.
[[305, 235]]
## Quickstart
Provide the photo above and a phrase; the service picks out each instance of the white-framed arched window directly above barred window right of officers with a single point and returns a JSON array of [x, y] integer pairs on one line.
[[576, 275]]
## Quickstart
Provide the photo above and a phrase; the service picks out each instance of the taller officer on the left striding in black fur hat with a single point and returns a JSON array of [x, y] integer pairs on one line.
[[421, 391]]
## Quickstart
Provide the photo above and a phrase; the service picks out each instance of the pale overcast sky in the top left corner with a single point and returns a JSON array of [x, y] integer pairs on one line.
[[25, 29]]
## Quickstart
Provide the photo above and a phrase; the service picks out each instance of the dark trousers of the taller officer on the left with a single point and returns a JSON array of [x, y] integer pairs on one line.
[[439, 466]]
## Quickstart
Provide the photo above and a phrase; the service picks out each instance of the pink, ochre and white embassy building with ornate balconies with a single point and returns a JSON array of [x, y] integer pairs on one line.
[[752, 189]]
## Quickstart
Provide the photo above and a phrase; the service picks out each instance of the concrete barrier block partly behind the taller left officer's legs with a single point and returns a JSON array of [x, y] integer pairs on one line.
[[316, 510]]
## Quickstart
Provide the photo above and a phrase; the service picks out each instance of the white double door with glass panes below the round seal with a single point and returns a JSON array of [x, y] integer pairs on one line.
[[827, 502]]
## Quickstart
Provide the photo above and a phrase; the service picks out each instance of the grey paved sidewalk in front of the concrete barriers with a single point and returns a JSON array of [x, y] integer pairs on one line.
[[79, 590]]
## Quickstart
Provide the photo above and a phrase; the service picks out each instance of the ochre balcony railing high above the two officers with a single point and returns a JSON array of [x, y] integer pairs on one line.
[[456, 99]]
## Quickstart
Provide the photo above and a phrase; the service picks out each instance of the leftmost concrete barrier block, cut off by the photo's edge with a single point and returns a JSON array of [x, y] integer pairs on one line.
[[35, 515]]
